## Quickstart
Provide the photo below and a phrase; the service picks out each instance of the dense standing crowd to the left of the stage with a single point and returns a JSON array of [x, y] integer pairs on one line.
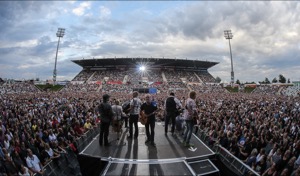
[[37, 127]]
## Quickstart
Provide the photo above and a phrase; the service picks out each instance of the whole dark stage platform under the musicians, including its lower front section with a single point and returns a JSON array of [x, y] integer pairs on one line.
[[133, 157]]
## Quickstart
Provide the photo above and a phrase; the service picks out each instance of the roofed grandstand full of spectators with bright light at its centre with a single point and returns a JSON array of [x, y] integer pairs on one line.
[[124, 73]]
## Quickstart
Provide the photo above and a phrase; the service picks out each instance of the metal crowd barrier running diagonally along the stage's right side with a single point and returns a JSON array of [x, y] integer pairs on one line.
[[225, 156]]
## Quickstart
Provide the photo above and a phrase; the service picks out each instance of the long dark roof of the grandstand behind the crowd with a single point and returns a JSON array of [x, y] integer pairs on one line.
[[152, 62]]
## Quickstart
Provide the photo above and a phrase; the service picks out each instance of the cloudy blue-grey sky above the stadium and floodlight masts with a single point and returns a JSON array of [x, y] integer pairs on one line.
[[265, 43]]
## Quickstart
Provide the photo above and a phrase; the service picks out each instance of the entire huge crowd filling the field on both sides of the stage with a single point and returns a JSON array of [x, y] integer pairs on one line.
[[261, 129]]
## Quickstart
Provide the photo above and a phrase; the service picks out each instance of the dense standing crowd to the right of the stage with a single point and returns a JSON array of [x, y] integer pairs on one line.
[[243, 123]]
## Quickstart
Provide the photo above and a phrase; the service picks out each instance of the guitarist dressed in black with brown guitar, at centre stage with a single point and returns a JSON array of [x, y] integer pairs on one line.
[[148, 110]]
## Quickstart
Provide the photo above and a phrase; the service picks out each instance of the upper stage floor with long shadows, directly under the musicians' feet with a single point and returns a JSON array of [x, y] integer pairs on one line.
[[167, 146]]
